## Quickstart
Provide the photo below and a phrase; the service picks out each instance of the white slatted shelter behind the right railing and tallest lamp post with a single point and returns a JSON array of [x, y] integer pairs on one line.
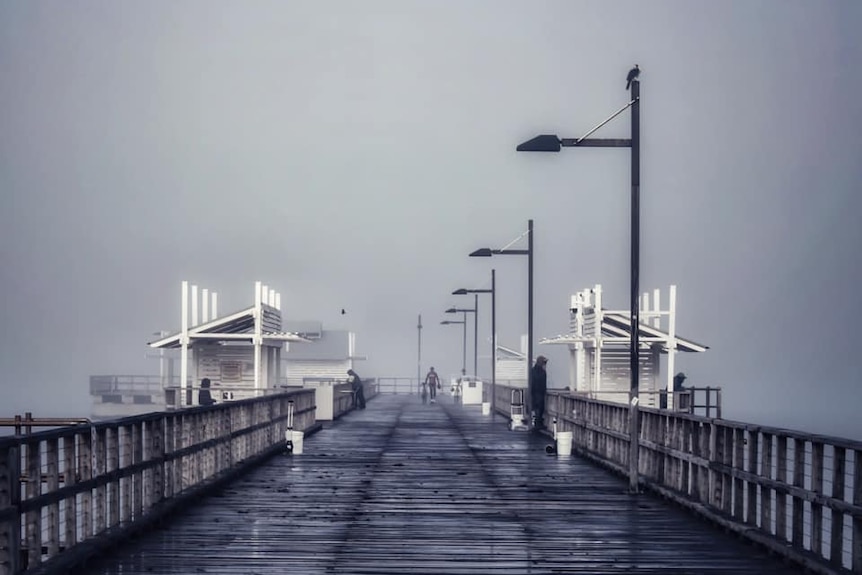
[[599, 346]]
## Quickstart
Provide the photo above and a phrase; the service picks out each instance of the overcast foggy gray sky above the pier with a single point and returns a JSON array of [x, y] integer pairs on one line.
[[351, 155]]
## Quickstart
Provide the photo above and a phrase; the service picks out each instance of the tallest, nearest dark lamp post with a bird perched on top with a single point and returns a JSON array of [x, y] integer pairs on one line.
[[551, 143]]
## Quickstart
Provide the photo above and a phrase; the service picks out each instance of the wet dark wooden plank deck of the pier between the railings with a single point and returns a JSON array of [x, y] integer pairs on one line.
[[403, 487]]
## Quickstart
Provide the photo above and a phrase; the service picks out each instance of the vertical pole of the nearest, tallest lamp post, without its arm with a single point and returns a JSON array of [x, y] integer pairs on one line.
[[634, 410]]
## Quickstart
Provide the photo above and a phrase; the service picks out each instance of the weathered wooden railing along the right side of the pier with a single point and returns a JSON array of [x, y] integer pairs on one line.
[[798, 494]]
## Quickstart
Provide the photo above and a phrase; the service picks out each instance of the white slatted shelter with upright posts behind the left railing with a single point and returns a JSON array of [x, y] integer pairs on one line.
[[239, 353]]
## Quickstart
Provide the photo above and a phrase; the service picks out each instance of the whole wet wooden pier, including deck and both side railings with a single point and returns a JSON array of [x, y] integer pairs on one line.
[[403, 487]]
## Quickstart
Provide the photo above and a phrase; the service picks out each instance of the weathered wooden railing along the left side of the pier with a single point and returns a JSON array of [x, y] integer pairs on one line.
[[67, 493]]
